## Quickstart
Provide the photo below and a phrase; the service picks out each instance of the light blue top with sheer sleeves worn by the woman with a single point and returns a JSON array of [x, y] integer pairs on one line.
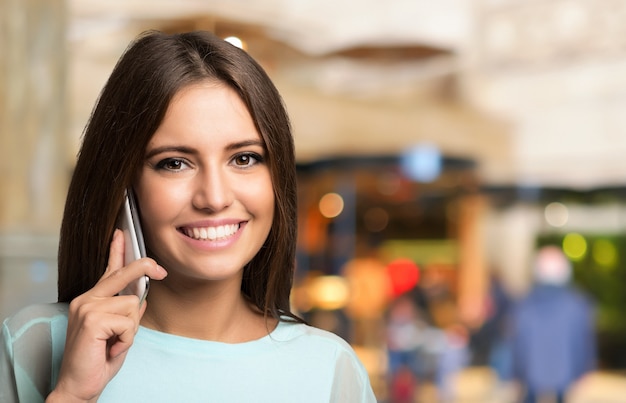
[[294, 363]]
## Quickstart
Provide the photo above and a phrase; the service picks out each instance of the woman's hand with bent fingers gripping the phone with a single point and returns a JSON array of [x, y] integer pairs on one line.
[[101, 328]]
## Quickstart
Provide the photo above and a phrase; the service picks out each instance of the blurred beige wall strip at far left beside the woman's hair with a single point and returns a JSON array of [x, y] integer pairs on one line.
[[33, 172]]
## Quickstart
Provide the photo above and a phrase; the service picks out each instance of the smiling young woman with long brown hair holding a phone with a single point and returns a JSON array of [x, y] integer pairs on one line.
[[196, 128]]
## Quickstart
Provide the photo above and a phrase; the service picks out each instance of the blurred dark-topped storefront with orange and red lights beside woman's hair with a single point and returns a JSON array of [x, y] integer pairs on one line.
[[389, 226]]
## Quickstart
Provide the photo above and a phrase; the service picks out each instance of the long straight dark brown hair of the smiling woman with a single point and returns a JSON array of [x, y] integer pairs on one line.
[[129, 110]]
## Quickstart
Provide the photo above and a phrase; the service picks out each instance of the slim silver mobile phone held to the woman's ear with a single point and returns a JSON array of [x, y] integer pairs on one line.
[[134, 247]]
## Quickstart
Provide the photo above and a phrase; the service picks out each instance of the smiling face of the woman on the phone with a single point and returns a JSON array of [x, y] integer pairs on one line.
[[205, 191]]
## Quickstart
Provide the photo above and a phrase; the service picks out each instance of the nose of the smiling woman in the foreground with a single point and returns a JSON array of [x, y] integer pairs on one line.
[[213, 191]]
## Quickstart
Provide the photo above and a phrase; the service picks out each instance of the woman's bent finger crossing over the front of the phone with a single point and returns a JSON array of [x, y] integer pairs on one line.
[[113, 282]]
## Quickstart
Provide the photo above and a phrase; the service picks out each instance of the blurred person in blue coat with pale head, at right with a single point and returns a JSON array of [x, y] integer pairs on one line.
[[553, 331]]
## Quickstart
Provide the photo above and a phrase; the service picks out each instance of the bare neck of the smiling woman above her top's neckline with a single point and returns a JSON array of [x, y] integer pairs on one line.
[[212, 311]]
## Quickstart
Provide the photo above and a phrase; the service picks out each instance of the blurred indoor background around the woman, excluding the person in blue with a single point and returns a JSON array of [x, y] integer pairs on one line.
[[439, 144]]
